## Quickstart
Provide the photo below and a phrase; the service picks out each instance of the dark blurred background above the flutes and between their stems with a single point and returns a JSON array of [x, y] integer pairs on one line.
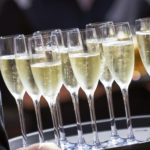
[[27, 16]]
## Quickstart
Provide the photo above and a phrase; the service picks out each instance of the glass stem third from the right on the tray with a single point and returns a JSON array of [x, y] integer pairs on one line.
[[93, 119]]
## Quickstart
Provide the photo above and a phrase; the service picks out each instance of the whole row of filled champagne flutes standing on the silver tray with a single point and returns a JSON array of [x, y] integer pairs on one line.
[[41, 63]]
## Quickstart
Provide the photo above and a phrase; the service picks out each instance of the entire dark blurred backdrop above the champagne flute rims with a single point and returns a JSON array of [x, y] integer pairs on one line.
[[26, 16]]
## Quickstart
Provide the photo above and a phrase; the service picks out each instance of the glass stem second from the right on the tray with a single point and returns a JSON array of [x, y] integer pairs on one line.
[[111, 111]]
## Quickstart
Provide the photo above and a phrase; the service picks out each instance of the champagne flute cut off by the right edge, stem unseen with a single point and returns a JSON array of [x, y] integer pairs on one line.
[[143, 40]]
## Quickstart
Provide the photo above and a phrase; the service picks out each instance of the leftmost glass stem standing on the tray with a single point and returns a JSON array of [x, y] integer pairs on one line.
[[22, 122]]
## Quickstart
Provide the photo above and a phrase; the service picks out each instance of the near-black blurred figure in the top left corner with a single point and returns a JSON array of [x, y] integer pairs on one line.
[[12, 19]]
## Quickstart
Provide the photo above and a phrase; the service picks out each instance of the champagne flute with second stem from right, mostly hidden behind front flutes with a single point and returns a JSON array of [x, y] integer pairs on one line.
[[107, 80]]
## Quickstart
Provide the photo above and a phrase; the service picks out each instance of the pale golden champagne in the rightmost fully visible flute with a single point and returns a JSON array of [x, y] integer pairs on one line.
[[120, 59]]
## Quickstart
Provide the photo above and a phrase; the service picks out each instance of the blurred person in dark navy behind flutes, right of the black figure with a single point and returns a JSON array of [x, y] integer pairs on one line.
[[76, 13]]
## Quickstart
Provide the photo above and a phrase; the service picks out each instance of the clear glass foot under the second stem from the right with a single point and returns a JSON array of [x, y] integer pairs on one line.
[[115, 142]]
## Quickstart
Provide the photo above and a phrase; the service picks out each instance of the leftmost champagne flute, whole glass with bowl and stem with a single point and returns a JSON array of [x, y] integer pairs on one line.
[[12, 80]]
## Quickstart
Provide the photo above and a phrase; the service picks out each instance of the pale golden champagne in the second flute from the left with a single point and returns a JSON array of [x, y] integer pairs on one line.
[[25, 73]]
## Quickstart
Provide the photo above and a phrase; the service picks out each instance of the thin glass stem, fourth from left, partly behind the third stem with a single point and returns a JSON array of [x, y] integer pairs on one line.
[[60, 120]]
